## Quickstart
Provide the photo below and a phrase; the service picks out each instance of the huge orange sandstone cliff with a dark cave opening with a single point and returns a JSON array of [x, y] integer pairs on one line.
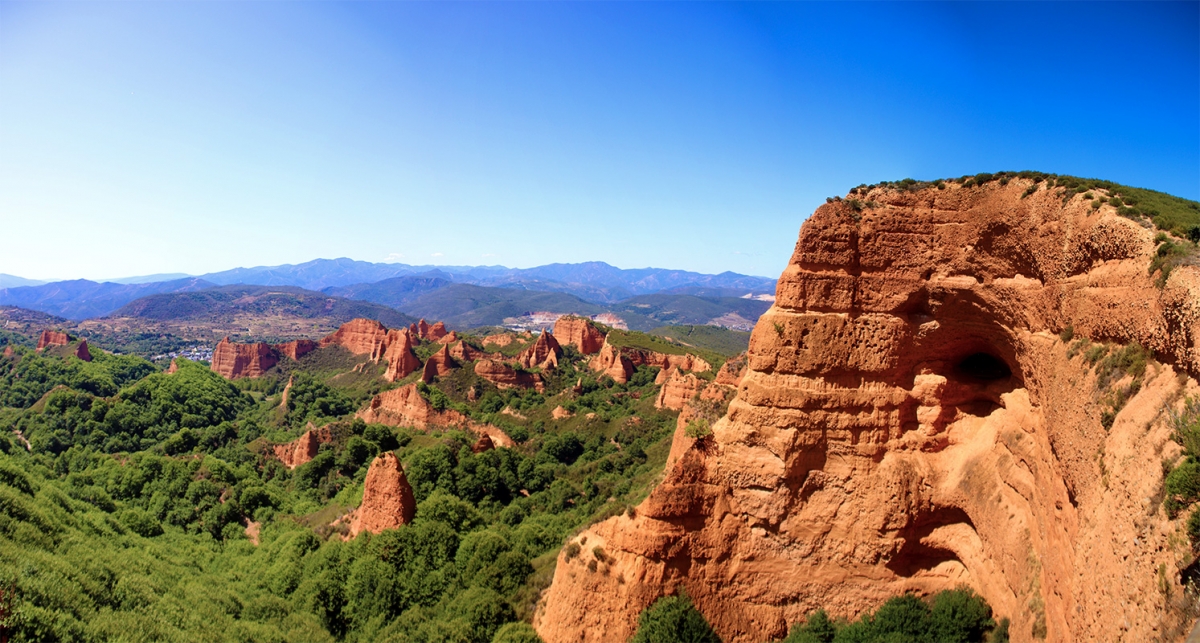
[[911, 420]]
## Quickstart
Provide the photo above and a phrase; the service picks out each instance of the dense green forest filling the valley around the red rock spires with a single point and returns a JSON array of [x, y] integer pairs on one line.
[[145, 506]]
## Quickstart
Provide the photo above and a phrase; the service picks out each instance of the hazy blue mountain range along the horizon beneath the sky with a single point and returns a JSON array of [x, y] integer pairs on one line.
[[463, 297]]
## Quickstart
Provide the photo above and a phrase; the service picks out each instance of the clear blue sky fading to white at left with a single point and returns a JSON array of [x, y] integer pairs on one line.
[[193, 137]]
